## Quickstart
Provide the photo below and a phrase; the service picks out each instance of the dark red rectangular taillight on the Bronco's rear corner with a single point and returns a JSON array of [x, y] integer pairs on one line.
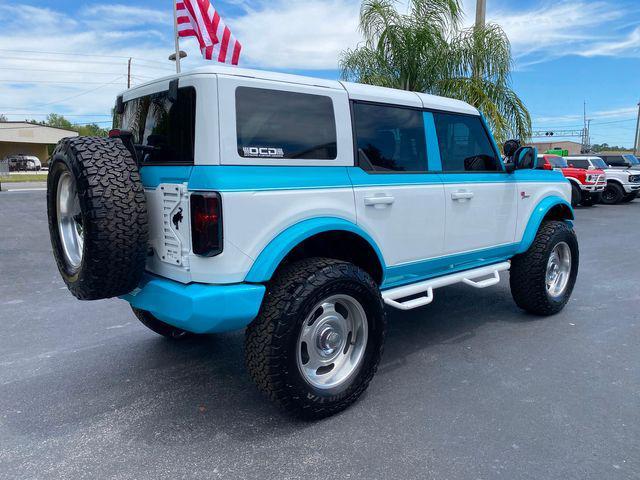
[[206, 224]]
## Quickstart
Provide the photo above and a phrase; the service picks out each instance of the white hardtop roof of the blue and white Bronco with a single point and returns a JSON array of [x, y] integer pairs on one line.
[[356, 91]]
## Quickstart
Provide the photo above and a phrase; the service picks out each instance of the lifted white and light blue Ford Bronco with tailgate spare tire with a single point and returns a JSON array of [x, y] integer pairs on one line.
[[300, 209]]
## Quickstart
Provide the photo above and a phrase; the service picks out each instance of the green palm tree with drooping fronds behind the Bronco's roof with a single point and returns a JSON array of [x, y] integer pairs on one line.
[[425, 50]]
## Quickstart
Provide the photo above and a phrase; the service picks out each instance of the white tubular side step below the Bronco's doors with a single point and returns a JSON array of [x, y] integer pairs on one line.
[[393, 296]]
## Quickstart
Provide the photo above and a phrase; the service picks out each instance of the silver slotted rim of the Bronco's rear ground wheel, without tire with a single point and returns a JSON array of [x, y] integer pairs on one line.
[[332, 342]]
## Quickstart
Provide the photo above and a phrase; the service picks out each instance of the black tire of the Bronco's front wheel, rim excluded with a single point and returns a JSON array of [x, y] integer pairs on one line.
[[528, 270]]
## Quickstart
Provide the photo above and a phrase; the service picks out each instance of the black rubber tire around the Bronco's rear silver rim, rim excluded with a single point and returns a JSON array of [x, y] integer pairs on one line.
[[271, 339]]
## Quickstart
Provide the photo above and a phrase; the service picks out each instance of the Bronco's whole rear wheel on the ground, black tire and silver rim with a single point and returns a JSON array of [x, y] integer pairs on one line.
[[318, 338]]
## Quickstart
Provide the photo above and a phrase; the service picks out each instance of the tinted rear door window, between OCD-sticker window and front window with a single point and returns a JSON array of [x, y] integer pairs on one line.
[[389, 138]]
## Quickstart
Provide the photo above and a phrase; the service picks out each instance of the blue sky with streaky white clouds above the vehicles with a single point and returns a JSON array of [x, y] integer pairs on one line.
[[565, 52]]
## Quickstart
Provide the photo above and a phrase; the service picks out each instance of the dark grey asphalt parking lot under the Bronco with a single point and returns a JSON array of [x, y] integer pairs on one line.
[[469, 387]]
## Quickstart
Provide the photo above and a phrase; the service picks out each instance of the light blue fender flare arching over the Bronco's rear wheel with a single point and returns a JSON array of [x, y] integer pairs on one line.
[[271, 256]]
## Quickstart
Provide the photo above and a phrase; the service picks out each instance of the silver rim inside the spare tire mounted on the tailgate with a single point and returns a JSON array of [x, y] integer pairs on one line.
[[69, 220]]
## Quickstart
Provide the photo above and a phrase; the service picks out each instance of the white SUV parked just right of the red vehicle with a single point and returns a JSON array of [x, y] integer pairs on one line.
[[622, 185]]
